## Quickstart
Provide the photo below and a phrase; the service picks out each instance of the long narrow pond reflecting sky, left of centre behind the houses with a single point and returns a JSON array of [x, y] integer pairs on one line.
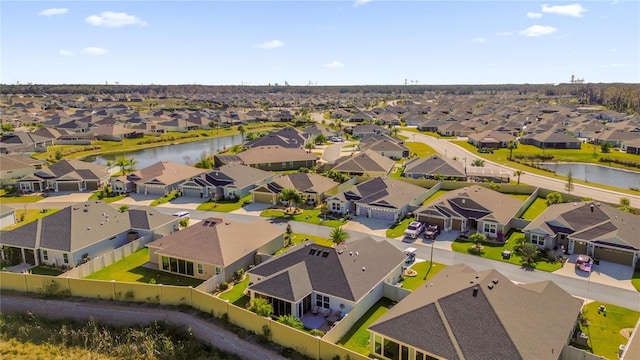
[[185, 153]]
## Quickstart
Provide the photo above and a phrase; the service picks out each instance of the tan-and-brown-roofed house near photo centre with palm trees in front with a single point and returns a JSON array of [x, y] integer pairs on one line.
[[313, 187]]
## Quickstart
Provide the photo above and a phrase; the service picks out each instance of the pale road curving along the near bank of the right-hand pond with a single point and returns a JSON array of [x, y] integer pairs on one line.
[[449, 150]]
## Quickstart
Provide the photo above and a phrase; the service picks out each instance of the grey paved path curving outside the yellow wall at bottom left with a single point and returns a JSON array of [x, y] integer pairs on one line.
[[121, 315]]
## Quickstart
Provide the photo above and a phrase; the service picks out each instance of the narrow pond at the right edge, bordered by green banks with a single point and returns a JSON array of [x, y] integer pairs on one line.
[[623, 179]]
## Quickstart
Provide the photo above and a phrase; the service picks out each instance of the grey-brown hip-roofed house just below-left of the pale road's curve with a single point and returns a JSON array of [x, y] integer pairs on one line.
[[435, 167]]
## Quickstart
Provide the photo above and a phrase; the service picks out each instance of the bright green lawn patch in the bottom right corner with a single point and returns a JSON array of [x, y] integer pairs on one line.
[[604, 330]]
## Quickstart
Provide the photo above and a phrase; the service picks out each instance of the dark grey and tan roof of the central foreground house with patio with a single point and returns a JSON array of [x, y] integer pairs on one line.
[[348, 273]]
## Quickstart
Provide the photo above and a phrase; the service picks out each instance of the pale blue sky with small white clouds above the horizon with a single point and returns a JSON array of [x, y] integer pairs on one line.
[[326, 42]]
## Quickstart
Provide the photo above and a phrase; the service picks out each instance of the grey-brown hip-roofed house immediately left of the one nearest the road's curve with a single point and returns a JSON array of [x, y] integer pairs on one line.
[[365, 163]]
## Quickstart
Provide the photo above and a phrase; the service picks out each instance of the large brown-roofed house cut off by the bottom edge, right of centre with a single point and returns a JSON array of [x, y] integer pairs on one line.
[[508, 321]]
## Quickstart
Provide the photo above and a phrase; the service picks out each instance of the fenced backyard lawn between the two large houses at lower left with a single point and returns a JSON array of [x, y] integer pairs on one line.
[[130, 269]]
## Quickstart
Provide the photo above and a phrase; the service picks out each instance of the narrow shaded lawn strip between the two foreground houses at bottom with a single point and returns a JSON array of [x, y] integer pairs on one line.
[[357, 339]]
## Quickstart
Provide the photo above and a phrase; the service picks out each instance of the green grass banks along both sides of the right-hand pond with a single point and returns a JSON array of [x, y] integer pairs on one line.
[[500, 156]]
